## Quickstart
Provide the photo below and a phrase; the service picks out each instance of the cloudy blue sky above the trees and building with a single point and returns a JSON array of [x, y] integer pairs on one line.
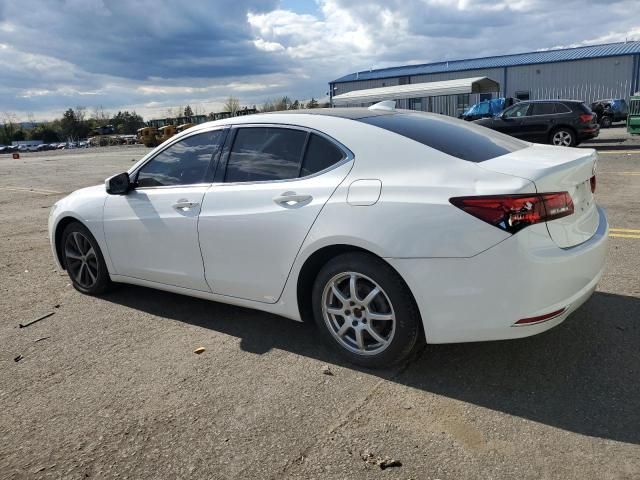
[[155, 55]]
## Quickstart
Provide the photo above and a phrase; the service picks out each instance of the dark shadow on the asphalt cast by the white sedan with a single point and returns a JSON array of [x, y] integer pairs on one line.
[[582, 376]]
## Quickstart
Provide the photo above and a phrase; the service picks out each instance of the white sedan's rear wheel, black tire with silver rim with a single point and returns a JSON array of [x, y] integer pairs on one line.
[[372, 330]]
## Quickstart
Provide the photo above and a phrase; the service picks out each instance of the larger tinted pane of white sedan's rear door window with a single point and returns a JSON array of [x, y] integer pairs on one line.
[[265, 153]]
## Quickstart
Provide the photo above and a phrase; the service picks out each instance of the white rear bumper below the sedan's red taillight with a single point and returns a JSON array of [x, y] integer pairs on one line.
[[482, 297]]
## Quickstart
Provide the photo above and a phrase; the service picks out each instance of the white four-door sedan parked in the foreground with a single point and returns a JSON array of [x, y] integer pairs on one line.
[[388, 227]]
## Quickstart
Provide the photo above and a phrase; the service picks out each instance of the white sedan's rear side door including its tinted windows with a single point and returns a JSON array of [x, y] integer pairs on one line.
[[273, 184]]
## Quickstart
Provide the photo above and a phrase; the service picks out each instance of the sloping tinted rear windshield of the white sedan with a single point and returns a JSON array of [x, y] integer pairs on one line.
[[464, 140]]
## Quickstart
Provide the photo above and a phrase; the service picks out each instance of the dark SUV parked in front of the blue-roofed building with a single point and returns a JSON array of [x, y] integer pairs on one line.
[[558, 122]]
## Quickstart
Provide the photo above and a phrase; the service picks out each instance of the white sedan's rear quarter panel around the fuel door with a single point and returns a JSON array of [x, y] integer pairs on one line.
[[413, 216]]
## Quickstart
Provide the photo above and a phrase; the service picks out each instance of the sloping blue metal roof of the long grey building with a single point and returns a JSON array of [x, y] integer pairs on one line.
[[547, 56]]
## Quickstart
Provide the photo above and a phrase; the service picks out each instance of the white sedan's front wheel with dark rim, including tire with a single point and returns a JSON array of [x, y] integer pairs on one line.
[[83, 260]]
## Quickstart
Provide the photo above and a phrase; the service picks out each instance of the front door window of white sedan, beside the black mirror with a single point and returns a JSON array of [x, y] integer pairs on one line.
[[184, 163]]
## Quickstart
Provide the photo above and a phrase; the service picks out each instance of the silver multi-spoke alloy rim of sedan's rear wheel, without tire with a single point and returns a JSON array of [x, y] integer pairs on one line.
[[358, 313]]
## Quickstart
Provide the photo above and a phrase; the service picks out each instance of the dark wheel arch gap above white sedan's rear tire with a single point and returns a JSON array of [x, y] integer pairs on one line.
[[312, 265]]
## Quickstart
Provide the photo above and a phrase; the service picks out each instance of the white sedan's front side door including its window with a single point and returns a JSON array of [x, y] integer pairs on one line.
[[152, 232]]
